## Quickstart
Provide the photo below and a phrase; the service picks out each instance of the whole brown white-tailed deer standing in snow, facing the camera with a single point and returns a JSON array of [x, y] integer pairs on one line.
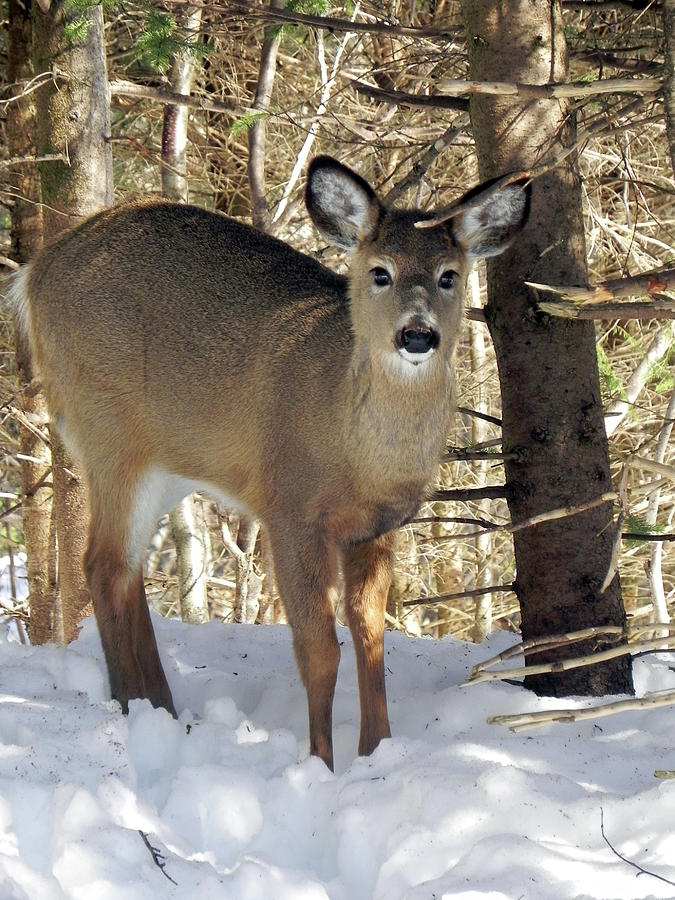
[[180, 350]]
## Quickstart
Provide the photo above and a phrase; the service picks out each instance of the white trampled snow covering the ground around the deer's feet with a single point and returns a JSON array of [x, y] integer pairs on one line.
[[449, 807]]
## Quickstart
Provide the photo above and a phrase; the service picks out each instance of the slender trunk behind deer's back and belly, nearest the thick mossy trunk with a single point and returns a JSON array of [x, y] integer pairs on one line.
[[187, 528]]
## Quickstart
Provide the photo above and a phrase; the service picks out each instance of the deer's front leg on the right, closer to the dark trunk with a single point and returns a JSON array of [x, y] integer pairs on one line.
[[367, 573]]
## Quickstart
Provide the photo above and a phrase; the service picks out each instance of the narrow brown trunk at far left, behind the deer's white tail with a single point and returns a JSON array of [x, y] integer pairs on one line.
[[26, 241]]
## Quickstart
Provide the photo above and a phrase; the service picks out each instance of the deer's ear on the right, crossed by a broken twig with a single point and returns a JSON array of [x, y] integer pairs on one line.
[[492, 219]]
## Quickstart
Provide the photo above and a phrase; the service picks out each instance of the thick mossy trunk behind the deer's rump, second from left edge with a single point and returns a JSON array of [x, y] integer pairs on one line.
[[73, 118]]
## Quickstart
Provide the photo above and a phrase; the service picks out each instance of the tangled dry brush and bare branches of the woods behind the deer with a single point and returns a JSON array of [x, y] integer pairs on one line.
[[386, 88]]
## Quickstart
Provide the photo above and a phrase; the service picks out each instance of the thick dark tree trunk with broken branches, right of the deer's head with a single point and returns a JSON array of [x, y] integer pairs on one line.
[[552, 410]]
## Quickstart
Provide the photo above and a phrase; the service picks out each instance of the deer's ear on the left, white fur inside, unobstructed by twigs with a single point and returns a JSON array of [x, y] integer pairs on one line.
[[342, 205]]
